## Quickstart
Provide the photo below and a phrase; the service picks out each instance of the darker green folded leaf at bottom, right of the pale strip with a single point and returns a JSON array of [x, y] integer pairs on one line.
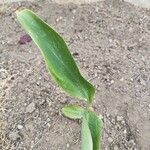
[[95, 125]]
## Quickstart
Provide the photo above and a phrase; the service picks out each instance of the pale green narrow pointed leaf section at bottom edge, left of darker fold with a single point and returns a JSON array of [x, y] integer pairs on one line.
[[86, 137]]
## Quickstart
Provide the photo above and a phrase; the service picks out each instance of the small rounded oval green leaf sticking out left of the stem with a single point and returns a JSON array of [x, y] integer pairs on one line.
[[73, 111]]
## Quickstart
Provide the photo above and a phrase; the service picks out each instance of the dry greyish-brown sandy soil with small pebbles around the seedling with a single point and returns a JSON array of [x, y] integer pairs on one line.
[[110, 41]]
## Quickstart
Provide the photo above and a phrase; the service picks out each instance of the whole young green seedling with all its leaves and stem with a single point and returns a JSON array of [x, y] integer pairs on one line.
[[65, 72]]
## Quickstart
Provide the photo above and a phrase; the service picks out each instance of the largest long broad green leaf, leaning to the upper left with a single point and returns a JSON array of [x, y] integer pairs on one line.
[[58, 59]]
